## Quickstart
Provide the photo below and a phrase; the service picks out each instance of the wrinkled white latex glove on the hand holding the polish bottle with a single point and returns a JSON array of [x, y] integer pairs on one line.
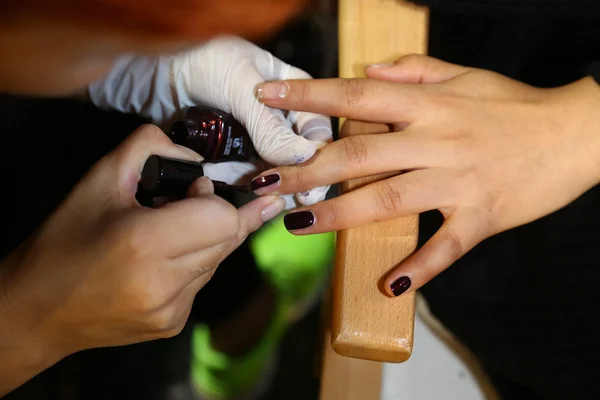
[[223, 73]]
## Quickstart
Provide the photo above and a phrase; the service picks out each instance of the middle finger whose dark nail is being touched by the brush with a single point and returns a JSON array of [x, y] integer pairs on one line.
[[349, 158]]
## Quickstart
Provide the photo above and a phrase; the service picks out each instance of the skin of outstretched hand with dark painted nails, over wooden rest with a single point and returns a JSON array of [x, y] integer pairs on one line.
[[488, 152]]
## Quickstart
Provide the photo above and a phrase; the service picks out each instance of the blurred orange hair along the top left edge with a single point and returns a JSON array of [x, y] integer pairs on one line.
[[181, 19]]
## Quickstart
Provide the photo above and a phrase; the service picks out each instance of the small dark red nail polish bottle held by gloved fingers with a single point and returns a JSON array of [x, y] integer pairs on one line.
[[213, 134]]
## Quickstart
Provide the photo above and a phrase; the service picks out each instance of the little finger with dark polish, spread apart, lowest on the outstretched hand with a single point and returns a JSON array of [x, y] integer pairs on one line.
[[459, 234]]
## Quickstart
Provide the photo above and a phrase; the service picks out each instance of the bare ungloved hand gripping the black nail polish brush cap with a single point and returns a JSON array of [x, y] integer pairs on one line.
[[105, 271]]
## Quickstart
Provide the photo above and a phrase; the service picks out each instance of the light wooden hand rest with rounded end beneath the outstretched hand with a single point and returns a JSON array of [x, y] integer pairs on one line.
[[367, 324]]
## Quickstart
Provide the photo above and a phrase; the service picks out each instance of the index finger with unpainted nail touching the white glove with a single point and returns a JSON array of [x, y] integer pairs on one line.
[[361, 99]]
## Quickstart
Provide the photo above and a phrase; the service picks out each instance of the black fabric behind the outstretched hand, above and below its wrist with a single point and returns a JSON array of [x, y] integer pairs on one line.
[[527, 301]]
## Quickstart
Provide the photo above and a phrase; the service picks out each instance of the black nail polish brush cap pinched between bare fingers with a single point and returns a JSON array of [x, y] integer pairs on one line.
[[168, 177]]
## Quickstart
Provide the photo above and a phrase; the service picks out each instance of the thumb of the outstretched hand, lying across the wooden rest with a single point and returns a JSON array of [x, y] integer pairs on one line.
[[416, 68]]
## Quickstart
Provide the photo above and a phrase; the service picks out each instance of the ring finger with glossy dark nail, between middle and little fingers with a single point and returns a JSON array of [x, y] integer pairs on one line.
[[403, 195]]
